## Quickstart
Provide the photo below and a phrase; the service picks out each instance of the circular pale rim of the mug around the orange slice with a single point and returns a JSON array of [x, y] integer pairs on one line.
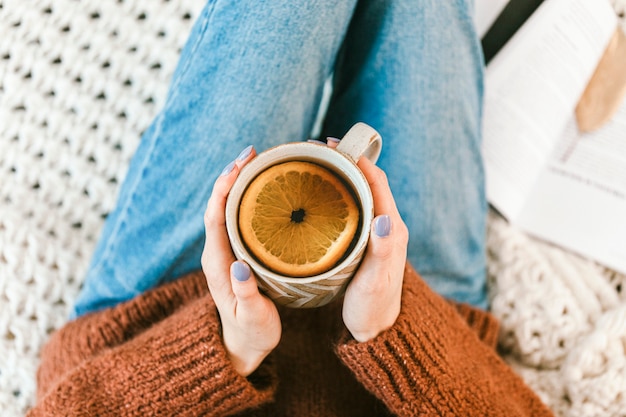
[[276, 155]]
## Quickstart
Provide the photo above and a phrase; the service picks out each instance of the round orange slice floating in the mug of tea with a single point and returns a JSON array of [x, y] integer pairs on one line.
[[298, 218]]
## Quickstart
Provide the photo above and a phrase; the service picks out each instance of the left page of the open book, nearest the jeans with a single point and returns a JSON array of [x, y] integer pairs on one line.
[[531, 89]]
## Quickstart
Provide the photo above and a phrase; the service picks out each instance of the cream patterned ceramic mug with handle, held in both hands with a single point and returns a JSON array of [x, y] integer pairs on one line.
[[314, 291]]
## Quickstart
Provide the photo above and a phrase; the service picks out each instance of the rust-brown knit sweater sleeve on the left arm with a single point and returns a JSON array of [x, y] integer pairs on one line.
[[177, 366]]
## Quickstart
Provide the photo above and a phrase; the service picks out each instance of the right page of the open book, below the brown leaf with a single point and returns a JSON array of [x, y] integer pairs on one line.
[[580, 199]]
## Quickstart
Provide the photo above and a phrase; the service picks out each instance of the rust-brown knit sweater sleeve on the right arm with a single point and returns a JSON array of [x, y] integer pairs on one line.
[[431, 362]]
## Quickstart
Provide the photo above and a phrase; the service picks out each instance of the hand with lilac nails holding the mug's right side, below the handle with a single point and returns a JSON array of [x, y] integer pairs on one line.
[[372, 300]]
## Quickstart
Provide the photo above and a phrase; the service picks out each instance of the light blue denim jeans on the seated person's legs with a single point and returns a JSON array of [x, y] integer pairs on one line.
[[254, 73]]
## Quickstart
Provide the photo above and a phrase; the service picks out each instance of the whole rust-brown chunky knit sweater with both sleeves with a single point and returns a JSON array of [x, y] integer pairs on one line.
[[161, 354]]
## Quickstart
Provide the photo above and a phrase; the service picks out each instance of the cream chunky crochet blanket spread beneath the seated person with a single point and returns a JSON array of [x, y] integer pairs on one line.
[[79, 81]]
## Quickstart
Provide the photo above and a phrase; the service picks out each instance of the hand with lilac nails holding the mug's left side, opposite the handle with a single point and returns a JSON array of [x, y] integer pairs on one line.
[[251, 325]]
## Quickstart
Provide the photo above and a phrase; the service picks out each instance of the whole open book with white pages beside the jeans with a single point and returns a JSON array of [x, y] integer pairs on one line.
[[543, 174]]
